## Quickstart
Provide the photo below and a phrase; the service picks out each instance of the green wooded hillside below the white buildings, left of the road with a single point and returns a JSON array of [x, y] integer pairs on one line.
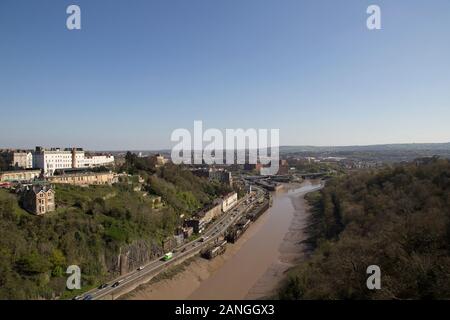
[[89, 227]]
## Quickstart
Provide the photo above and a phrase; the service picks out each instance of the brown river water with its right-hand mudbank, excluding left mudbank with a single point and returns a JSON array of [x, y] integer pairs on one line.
[[260, 262]]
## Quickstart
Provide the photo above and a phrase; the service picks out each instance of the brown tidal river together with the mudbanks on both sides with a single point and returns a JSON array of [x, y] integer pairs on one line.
[[251, 268]]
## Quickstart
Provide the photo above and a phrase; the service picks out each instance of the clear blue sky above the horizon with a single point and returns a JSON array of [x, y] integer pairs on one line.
[[139, 69]]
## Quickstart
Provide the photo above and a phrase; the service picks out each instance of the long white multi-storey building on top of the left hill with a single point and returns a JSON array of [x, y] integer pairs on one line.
[[52, 159]]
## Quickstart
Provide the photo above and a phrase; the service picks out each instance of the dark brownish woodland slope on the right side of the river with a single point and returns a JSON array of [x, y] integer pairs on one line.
[[397, 218]]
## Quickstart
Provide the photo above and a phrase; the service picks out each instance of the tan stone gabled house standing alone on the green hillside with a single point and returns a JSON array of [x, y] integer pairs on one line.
[[38, 199]]
